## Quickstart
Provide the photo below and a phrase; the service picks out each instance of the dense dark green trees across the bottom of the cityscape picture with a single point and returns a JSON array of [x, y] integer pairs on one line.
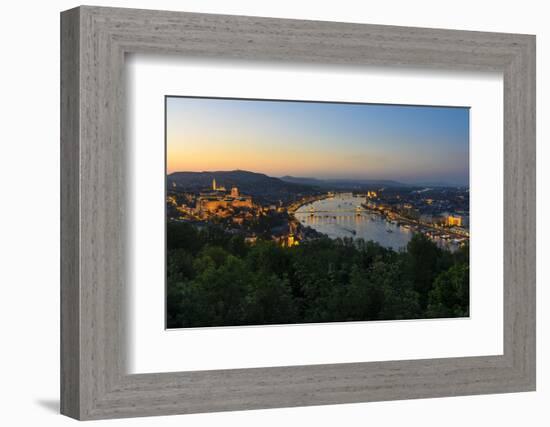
[[215, 279]]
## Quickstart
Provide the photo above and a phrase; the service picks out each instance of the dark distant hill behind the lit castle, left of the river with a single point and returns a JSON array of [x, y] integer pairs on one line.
[[258, 185]]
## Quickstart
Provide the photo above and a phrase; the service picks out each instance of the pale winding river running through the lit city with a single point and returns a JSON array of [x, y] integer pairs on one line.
[[342, 216]]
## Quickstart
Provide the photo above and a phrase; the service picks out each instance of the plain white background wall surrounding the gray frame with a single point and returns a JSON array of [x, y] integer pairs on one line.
[[29, 213]]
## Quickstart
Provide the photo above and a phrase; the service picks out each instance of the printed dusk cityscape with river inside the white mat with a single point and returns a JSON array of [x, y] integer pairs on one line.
[[286, 212]]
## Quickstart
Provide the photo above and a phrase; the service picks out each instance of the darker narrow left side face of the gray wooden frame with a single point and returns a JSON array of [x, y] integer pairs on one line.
[[70, 290]]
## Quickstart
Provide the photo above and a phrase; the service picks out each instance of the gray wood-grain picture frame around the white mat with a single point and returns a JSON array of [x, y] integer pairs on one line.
[[94, 41]]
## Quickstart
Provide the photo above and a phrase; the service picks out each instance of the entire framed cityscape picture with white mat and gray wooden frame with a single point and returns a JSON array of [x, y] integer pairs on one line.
[[262, 213]]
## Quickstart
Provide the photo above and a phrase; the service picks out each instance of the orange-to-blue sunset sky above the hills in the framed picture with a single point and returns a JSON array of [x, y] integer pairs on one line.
[[410, 144]]
